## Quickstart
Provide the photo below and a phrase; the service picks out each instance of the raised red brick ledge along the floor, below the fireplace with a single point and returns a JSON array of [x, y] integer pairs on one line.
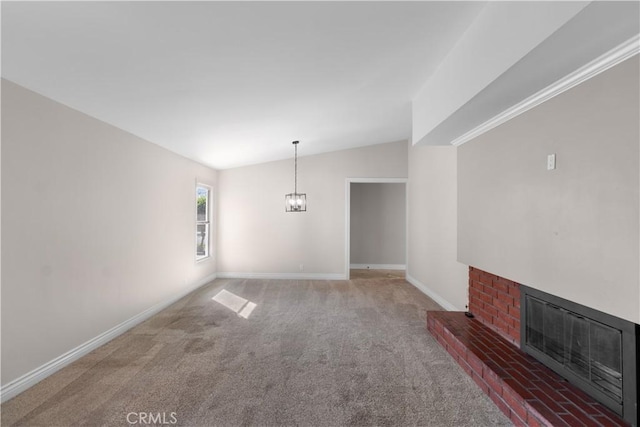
[[526, 391]]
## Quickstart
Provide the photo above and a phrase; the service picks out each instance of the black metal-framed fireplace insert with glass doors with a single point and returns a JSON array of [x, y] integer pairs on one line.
[[593, 350]]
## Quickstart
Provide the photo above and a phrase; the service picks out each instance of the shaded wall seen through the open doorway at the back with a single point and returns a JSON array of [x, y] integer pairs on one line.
[[378, 223]]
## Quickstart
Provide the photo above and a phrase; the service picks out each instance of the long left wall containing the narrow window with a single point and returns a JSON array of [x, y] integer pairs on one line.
[[97, 226]]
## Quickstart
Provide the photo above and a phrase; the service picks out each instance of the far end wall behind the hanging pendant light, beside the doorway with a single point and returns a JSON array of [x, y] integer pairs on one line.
[[257, 237]]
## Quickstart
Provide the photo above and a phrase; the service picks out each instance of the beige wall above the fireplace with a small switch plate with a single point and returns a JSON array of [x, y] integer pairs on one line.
[[572, 231]]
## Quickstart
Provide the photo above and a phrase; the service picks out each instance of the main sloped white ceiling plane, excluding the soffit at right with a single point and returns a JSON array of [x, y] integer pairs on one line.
[[233, 83]]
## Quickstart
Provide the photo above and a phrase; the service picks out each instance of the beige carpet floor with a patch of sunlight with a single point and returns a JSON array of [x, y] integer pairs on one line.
[[321, 353]]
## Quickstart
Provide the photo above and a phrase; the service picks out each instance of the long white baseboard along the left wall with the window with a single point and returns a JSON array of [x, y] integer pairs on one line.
[[29, 379]]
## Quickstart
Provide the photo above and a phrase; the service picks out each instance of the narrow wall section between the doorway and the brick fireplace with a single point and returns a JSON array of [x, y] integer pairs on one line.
[[432, 235]]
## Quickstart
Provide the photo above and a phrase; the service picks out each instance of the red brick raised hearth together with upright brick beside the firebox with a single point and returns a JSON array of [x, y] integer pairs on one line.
[[487, 348]]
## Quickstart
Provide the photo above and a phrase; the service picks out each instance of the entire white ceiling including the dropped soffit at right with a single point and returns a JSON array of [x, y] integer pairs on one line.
[[233, 83]]
